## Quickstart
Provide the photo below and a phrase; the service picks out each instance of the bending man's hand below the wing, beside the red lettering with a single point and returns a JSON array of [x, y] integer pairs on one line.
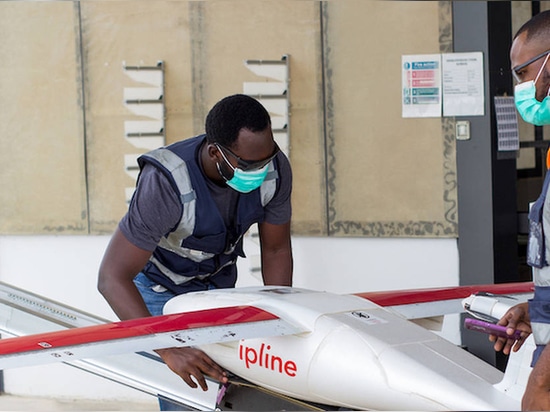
[[190, 362]]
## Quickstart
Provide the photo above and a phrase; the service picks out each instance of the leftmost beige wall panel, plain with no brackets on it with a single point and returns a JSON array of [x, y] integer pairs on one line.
[[41, 133]]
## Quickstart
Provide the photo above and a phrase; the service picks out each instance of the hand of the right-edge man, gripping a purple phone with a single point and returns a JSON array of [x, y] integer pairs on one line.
[[516, 318]]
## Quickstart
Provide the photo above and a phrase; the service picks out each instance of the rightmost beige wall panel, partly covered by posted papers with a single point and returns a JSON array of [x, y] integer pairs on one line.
[[389, 175]]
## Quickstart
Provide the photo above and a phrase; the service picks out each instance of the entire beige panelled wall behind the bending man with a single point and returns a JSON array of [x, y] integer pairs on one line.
[[384, 176]]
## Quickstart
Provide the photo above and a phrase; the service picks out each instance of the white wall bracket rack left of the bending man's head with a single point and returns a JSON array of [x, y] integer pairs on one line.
[[147, 101]]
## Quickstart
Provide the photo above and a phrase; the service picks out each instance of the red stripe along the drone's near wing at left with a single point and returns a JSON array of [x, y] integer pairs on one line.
[[136, 327]]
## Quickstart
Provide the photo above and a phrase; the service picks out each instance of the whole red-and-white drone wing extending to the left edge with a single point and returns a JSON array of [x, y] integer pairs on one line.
[[175, 330]]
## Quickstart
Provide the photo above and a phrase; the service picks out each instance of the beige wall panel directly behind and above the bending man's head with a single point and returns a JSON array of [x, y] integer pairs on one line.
[[234, 31]]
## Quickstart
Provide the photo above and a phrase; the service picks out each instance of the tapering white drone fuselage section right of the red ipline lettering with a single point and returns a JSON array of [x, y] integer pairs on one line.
[[390, 363]]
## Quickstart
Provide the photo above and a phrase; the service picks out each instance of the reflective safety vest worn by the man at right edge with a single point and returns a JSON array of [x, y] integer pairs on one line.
[[537, 256]]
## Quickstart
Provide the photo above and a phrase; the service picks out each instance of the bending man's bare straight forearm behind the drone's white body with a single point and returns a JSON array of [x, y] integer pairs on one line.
[[276, 249]]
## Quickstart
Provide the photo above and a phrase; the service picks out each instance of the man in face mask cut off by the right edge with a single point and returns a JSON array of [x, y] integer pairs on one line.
[[529, 56]]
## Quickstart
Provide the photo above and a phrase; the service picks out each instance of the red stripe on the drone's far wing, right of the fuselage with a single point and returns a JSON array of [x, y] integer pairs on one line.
[[406, 297]]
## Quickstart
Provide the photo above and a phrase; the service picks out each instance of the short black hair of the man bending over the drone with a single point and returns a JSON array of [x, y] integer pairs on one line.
[[233, 113]]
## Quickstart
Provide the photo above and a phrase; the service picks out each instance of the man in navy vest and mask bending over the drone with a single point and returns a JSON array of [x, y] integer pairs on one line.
[[183, 231]]
